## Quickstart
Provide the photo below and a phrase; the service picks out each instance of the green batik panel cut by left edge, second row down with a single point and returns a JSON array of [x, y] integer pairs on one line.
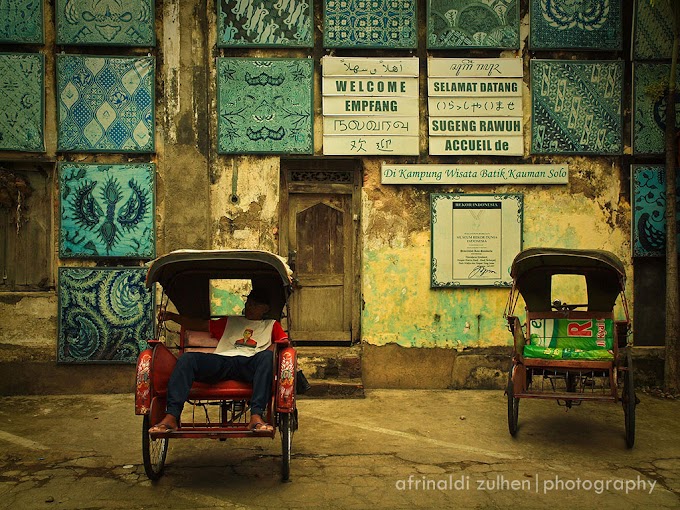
[[22, 102]]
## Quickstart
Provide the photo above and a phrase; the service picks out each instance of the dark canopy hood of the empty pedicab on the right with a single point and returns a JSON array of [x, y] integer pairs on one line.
[[533, 268]]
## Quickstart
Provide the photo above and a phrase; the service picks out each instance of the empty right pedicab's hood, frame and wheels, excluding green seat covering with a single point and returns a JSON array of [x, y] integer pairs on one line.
[[570, 381]]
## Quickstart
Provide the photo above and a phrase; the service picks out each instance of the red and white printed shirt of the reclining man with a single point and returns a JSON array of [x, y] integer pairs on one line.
[[239, 336]]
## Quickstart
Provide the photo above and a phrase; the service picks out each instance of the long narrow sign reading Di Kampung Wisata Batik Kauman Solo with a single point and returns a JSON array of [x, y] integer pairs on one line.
[[475, 174]]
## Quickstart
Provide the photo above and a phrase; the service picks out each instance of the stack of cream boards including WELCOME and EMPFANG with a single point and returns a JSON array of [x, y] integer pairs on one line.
[[370, 106]]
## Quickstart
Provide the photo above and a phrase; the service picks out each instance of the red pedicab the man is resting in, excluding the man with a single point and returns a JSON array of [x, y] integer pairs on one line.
[[216, 411]]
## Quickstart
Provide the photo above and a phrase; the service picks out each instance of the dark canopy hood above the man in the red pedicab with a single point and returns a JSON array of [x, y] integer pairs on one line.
[[185, 277]]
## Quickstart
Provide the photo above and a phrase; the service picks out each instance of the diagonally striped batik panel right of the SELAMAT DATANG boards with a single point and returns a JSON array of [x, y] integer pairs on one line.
[[576, 107]]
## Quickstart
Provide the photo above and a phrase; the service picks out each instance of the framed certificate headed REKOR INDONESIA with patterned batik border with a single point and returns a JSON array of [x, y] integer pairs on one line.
[[474, 238]]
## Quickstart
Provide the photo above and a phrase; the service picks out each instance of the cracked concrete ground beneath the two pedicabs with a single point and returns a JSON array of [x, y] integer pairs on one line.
[[393, 449]]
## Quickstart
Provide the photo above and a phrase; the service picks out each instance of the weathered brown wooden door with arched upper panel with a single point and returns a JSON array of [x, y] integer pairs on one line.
[[320, 231]]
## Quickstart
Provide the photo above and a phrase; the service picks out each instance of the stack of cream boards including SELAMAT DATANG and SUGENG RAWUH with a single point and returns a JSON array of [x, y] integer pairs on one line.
[[475, 106]]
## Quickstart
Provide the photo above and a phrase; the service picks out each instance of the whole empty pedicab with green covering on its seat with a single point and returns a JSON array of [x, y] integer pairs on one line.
[[570, 352]]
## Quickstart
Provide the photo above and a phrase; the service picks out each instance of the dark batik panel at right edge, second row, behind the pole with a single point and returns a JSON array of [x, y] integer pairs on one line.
[[649, 107]]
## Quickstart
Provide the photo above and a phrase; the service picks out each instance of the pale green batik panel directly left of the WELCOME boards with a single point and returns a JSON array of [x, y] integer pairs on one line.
[[265, 106]]
